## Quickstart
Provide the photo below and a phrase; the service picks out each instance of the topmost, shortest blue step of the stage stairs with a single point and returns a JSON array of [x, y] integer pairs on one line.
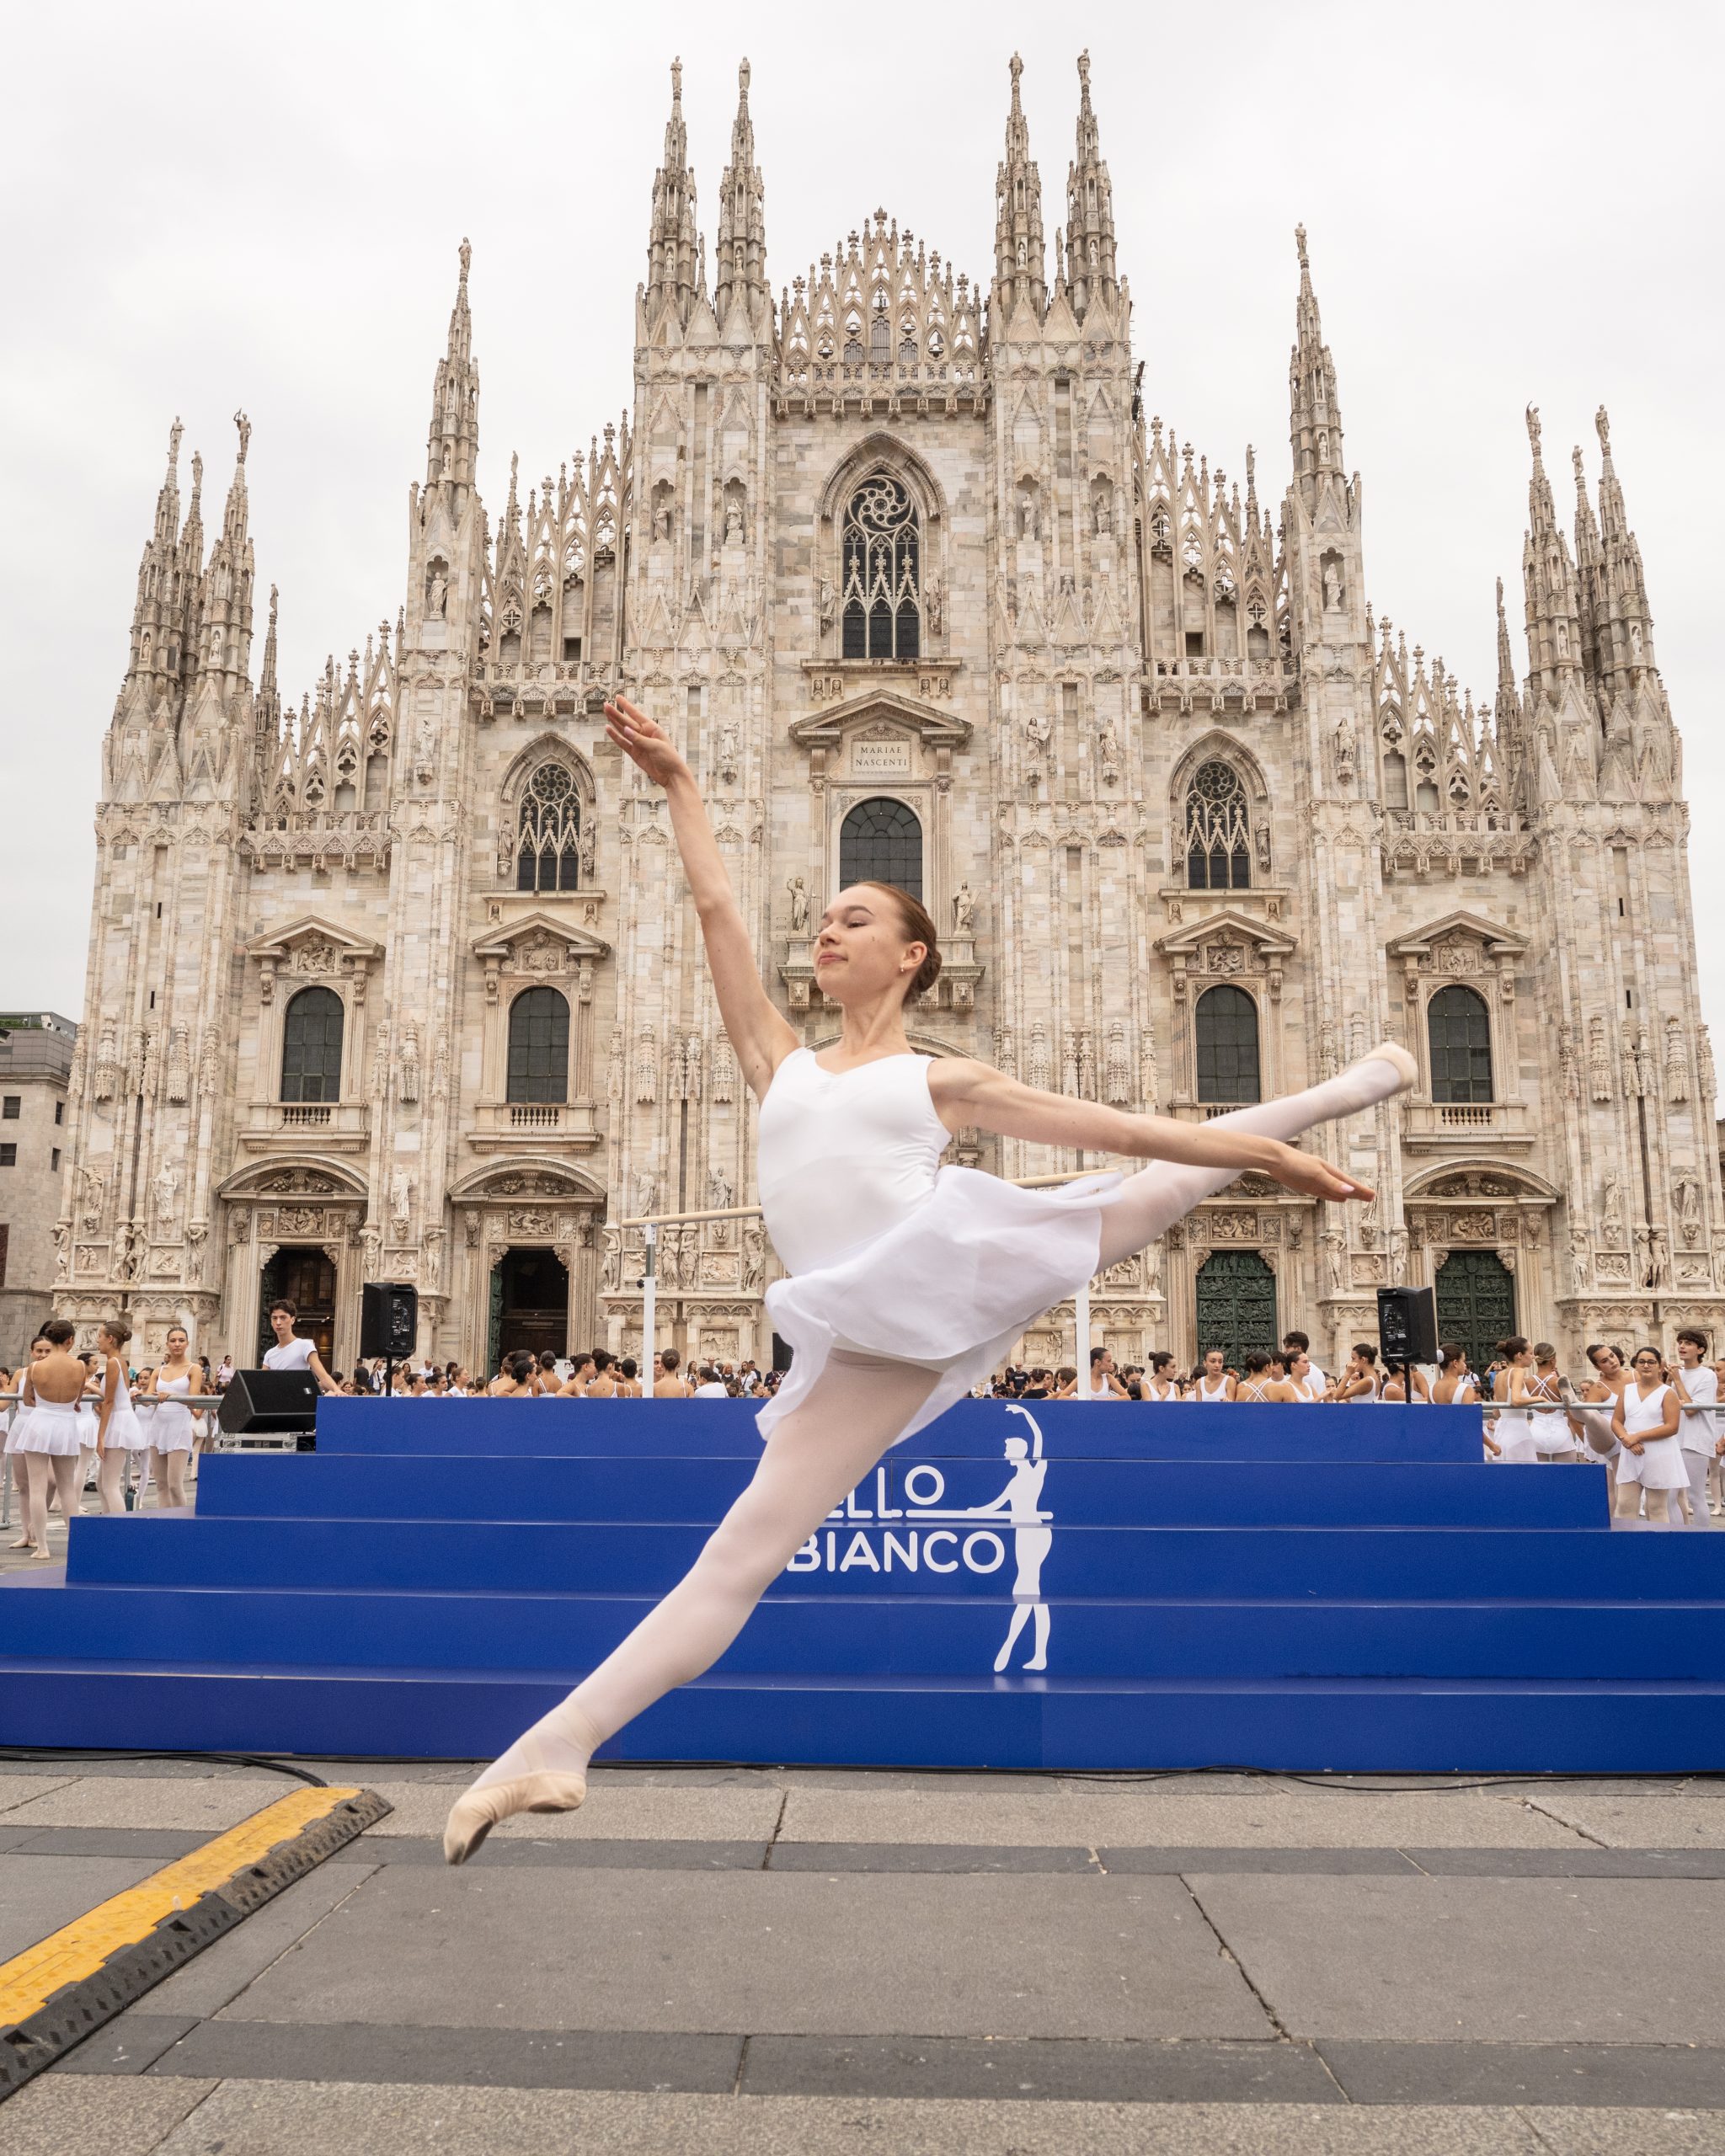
[[976, 1428]]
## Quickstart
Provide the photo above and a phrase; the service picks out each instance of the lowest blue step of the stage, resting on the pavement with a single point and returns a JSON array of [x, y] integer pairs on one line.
[[1321, 1726]]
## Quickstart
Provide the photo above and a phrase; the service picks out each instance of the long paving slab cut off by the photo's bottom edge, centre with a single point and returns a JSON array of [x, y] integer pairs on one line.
[[273, 2118]]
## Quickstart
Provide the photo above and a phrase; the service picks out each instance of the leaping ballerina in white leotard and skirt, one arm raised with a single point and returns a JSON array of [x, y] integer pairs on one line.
[[909, 1284]]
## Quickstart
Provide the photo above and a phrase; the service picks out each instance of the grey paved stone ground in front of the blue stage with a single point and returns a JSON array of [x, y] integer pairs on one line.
[[808, 1963]]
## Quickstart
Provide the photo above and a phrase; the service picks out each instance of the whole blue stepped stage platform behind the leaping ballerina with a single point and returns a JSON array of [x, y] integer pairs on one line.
[[1217, 1588]]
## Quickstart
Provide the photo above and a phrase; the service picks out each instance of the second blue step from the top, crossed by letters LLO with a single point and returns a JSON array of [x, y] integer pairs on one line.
[[1088, 1493]]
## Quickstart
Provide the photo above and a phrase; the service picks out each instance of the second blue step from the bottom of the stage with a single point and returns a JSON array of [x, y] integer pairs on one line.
[[911, 1635]]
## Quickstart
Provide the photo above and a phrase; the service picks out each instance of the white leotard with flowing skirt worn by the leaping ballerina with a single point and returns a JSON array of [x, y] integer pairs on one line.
[[892, 1254]]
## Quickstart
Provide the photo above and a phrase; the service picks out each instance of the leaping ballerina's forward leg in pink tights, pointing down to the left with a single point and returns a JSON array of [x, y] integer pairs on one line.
[[810, 1463]]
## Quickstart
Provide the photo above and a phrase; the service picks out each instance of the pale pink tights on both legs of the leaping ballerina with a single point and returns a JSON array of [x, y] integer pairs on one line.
[[827, 1448]]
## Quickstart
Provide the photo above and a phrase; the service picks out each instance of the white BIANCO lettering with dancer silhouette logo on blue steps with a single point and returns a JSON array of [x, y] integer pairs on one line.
[[872, 1534]]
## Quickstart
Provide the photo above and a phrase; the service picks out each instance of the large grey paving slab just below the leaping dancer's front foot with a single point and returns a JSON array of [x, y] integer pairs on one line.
[[760, 1952]]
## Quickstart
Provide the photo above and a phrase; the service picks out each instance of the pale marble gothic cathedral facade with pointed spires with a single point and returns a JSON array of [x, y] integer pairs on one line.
[[404, 984]]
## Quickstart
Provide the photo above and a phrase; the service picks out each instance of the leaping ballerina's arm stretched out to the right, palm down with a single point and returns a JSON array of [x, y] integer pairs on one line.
[[969, 1092]]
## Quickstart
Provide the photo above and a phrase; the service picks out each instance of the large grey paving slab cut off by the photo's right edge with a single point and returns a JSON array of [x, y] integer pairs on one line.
[[1487, 1961]]
